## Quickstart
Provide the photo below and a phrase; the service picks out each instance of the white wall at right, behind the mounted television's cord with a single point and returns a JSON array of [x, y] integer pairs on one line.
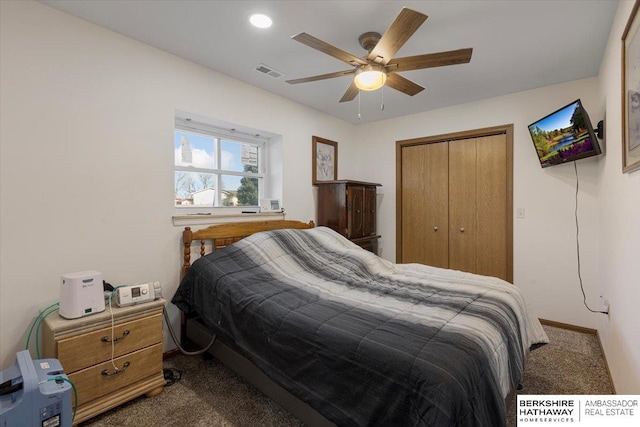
[[619, 229]]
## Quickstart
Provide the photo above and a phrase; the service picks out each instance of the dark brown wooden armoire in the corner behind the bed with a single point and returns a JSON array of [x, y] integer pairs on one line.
[[349, 207]]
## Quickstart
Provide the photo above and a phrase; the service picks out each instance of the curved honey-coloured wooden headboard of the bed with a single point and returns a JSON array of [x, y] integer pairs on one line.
[[222, 235]]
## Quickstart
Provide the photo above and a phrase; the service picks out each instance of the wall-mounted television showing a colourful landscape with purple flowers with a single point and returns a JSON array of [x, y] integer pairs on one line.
[[564, 136]]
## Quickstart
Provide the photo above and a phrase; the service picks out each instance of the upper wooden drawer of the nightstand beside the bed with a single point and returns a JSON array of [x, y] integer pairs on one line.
[[84, 350]]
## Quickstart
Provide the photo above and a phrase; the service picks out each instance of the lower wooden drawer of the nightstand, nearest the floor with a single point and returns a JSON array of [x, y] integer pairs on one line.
[[92, 384]]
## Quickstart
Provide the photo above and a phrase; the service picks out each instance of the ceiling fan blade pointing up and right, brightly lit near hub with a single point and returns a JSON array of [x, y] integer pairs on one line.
[[400, 30]]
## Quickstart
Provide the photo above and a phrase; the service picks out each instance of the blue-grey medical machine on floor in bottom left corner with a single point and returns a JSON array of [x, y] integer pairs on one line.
[[35, 393]]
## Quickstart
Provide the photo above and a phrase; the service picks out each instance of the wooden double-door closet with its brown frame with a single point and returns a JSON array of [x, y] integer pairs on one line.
[[455, 201]]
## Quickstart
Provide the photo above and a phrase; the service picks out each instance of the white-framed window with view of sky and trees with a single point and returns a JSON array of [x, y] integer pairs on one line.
[[216, 167]]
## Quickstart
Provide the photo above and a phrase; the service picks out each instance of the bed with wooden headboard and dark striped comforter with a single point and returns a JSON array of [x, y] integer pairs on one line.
[[340, 336]]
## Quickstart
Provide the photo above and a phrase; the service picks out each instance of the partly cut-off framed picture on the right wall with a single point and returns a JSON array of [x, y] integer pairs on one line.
[[631, 93]]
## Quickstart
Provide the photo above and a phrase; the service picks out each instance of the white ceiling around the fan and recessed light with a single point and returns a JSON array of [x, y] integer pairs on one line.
[[517, 44]]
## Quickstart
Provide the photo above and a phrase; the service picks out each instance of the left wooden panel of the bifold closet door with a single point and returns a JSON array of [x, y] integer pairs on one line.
[[424, 206]]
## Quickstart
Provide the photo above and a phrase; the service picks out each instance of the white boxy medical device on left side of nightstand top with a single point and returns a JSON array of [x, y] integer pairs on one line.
[[81, 294]]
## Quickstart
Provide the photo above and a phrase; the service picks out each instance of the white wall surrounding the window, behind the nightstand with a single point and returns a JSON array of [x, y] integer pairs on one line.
[[87, 156]]
